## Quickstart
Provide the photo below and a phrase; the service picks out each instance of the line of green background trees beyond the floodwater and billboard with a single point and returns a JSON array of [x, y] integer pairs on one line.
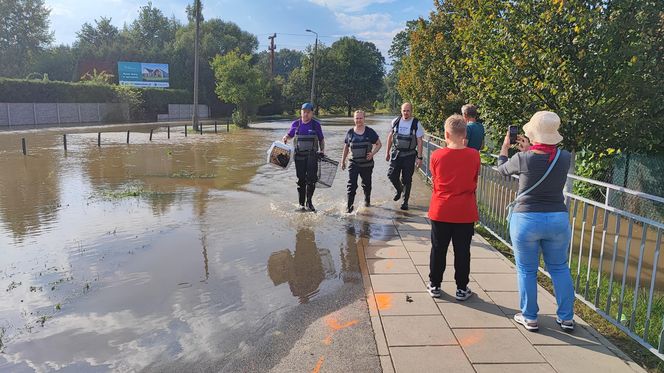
[[233, 74]]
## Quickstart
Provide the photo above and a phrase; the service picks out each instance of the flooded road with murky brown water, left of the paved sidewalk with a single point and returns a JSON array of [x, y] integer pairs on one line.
[[181, 254]]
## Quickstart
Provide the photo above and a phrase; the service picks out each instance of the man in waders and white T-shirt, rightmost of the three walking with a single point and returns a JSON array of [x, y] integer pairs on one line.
[[404, 152]]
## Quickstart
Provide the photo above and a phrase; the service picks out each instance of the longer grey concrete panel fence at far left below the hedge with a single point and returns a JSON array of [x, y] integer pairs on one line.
[[22, 114]]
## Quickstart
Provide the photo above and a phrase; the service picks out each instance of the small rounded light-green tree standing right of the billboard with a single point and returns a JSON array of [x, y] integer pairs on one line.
[[240, 83]]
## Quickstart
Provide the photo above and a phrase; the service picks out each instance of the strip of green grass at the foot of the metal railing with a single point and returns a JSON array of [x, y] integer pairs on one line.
[[624, 342]]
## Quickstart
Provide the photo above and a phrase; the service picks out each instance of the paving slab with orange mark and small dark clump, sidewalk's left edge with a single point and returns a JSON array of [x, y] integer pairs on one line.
[[394, 304]]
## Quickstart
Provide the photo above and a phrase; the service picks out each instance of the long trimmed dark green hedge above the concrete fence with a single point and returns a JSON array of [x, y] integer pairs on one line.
[[153, 100]]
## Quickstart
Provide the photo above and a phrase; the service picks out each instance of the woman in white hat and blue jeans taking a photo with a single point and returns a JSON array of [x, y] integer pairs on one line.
[[539, 220]]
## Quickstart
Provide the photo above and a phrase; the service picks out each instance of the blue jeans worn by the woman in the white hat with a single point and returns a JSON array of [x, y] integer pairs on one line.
[[550, 232]]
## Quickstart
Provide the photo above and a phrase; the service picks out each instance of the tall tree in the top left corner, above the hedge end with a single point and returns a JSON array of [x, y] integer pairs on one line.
[[24, 33]]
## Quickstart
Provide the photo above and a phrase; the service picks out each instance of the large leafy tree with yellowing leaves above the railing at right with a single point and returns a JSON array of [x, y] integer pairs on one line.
[[595, 63]]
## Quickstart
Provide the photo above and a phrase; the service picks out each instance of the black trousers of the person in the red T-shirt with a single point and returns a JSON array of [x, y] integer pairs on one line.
[[461, 235]]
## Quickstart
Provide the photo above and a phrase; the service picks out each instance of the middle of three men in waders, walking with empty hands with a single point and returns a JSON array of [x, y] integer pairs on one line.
[[362, 143]]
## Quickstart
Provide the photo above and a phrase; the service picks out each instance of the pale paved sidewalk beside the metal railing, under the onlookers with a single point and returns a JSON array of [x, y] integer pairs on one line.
[[416, 333]]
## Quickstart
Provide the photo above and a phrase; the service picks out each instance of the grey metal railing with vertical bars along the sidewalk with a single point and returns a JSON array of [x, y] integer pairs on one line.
[[611, 274]]
